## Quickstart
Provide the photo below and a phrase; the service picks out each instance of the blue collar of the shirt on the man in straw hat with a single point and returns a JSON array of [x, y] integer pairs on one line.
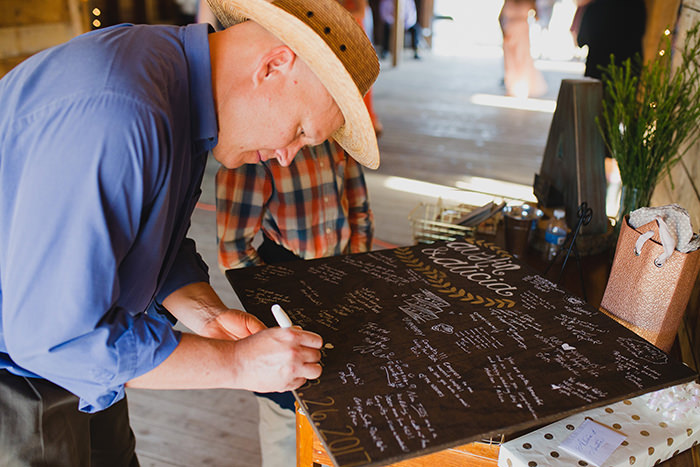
[[204, 127]]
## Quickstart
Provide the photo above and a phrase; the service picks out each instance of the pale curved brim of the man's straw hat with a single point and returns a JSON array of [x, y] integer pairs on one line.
[[357, 134]]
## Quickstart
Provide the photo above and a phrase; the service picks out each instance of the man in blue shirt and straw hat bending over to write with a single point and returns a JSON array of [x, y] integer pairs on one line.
[[103, 143]]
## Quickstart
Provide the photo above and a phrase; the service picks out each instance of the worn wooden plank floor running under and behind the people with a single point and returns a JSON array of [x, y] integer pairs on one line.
[[433, 132]]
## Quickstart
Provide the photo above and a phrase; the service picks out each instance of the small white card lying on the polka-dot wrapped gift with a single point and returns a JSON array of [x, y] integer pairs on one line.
[[593, 442]]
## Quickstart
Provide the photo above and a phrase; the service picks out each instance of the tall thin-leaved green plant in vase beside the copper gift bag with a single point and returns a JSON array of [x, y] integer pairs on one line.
[[651, 116]]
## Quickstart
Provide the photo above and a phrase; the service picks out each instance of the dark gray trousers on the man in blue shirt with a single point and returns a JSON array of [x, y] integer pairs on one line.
[[40, 425]]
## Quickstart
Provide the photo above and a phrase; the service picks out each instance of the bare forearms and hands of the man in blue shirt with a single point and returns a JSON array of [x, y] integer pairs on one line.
[[231, 349]]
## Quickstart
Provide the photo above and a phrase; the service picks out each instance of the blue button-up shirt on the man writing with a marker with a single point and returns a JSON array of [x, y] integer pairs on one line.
[[103, 143]]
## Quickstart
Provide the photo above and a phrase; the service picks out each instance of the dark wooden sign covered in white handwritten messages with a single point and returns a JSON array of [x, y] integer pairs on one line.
[[433, 346]]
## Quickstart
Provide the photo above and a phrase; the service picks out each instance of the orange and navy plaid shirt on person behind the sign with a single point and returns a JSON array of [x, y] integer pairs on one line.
[[316, 207]]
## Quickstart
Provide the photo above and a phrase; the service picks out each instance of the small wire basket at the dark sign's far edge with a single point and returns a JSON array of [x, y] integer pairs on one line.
[[433, 222]]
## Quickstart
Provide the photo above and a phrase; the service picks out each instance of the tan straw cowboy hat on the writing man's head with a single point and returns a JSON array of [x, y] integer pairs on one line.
[[329, 40]]
